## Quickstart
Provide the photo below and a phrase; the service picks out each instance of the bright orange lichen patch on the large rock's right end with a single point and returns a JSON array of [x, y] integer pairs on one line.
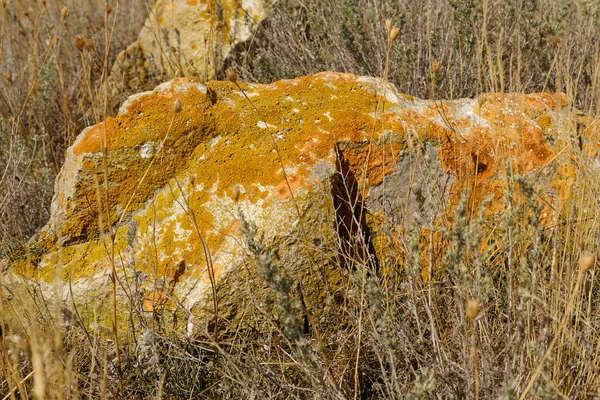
[[479, 156]]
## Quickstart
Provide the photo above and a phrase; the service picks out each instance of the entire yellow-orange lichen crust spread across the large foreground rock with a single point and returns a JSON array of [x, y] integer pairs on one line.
[[224, 141]]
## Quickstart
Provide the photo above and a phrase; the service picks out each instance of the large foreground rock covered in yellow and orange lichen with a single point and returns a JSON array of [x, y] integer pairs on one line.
[[321, 164]]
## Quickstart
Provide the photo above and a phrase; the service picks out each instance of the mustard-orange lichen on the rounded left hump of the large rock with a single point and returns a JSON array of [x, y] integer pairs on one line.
[[126, 134]]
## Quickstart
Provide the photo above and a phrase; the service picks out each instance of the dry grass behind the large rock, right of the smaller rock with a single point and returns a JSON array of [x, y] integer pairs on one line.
[[475, 45]]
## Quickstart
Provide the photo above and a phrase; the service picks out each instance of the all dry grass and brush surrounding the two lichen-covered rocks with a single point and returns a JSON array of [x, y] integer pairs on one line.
[[517, 322]]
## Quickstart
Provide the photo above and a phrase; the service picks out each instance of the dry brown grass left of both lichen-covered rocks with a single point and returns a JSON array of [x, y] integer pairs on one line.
[[44, 100]]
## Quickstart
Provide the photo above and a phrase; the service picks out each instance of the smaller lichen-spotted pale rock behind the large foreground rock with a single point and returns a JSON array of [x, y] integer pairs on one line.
[[184, 38]]
